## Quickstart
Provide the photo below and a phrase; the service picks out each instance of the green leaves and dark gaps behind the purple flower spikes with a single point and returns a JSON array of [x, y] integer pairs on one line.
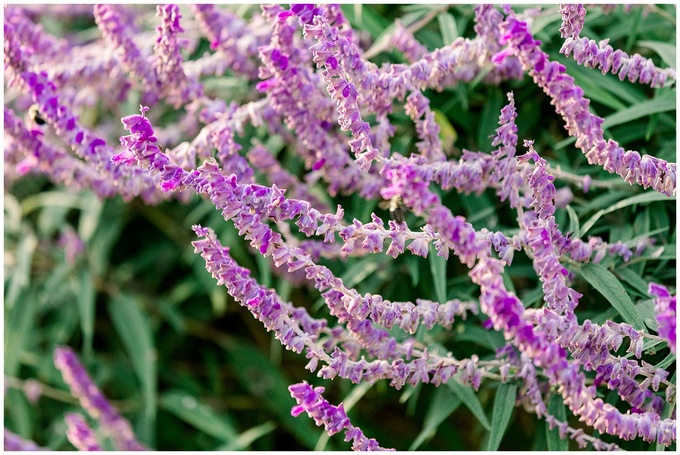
[[193, 370]]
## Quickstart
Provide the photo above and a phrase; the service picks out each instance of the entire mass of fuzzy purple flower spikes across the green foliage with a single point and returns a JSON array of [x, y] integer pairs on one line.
[[315, 91]]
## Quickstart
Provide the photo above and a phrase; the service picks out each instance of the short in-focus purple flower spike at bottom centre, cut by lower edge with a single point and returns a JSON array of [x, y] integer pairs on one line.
[[333, 418]]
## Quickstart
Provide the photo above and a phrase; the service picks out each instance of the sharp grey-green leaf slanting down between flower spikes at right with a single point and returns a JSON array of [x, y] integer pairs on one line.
[[606, 284]]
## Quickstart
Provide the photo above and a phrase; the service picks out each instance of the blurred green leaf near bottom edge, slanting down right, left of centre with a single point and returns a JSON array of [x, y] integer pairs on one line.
[[199, 415]]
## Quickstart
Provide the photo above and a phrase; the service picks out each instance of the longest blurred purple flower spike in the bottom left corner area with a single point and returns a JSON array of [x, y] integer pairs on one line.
[[93, 401]]
